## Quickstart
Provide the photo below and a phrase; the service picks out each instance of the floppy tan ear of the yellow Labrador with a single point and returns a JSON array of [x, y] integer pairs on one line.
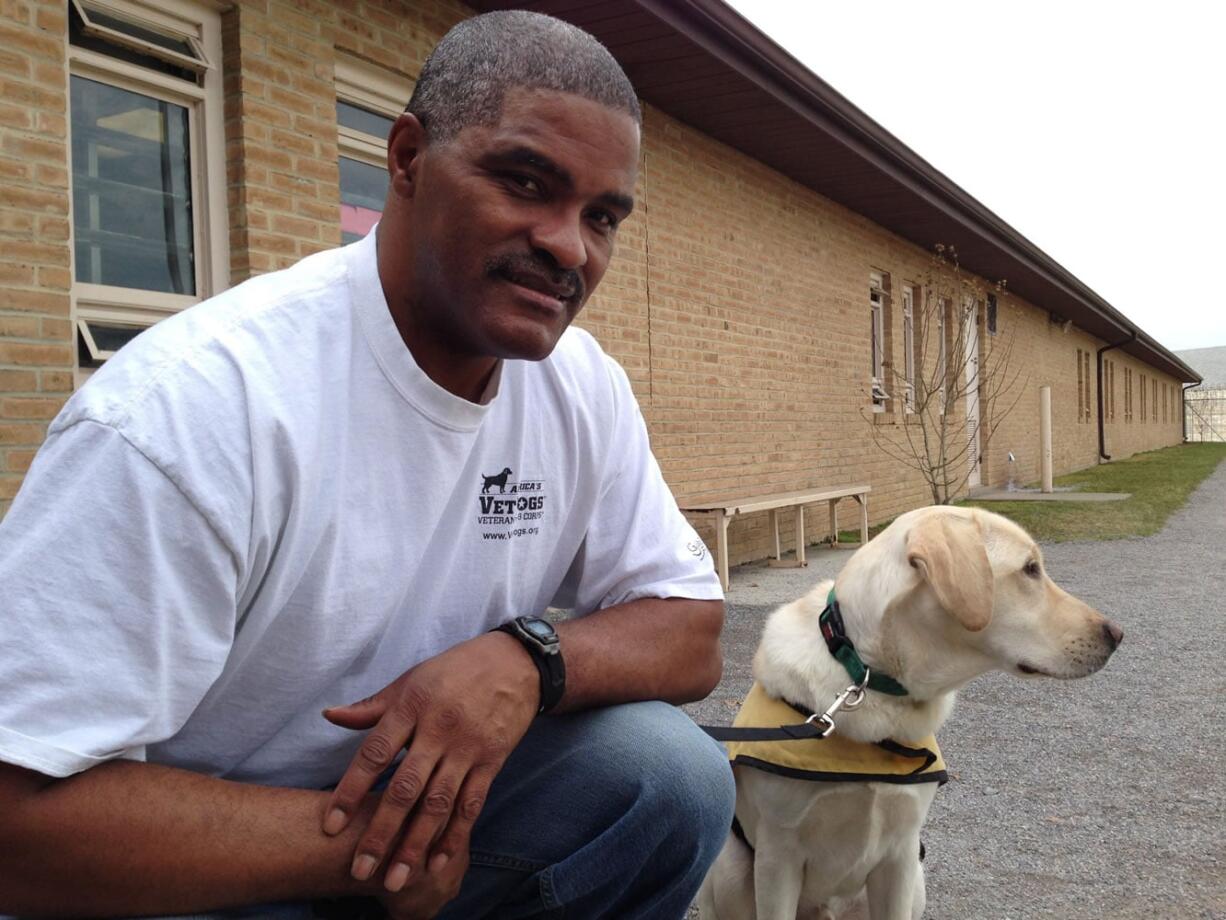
[[951, 556]]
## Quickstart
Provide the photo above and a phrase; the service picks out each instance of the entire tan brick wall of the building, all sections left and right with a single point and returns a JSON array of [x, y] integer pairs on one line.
[[737, 301]]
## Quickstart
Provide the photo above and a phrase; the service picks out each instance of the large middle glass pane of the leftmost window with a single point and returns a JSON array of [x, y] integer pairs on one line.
[[132, 190]]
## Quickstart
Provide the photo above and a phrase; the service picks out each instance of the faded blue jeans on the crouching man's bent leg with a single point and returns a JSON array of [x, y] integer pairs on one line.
[[615, 813]]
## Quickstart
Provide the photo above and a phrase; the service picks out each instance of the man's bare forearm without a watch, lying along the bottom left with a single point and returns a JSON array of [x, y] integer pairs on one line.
[[131, 838]]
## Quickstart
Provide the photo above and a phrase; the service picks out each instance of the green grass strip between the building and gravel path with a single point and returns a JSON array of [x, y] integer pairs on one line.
[[1160, 483]]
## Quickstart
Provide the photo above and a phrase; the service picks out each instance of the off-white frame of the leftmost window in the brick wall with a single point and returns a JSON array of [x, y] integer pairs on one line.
[[199, 24]]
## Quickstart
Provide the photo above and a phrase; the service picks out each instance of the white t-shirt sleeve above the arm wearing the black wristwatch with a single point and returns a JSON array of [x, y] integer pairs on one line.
[[639, 545]]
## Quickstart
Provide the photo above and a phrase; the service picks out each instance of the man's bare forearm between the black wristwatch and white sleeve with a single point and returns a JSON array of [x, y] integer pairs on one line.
[[647, 650]]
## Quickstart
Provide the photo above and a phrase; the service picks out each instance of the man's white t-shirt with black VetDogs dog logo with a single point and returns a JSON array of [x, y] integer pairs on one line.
[[263, 507]]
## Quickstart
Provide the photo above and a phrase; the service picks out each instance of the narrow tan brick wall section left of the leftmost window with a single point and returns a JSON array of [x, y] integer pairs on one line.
[[36, 334]]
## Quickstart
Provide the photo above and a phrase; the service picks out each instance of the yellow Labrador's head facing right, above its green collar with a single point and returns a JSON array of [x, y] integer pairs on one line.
[[970, 587]]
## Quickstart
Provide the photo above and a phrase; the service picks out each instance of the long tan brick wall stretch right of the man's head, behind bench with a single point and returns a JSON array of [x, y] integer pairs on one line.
[[755, 294]]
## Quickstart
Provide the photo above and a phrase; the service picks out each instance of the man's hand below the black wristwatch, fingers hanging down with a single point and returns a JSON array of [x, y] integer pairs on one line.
[[460, 715]]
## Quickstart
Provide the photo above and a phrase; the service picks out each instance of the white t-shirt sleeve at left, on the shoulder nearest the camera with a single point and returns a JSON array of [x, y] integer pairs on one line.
[[120, 605]]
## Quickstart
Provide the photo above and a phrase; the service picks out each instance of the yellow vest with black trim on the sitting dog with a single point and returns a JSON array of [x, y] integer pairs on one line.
[[834, 759]]
